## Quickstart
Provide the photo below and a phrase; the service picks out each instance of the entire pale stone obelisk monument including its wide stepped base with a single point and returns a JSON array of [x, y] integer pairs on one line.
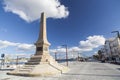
[[41, 63]]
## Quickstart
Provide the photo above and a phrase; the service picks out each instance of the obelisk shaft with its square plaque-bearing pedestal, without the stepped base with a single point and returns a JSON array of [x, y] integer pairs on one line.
[[42, 44]]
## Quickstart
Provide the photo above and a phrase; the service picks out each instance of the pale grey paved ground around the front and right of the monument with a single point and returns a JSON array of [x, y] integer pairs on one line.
[[78, 71]]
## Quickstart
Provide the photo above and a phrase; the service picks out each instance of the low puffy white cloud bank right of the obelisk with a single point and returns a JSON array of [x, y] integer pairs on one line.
[[87, 45]]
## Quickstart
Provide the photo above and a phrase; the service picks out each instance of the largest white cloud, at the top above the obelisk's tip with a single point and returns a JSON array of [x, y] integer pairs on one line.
[[30, 10]]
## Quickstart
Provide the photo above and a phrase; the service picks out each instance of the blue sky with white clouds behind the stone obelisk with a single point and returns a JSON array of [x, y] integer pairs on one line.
[[81, 24]]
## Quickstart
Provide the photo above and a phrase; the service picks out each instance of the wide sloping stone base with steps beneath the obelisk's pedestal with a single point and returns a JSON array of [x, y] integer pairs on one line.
[[34, 67]]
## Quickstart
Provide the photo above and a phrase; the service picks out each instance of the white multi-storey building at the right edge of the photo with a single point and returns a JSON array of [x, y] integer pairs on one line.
[[112, 48]]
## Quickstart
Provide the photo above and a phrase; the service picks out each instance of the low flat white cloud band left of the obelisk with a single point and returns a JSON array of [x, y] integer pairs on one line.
[[19, 46]]
